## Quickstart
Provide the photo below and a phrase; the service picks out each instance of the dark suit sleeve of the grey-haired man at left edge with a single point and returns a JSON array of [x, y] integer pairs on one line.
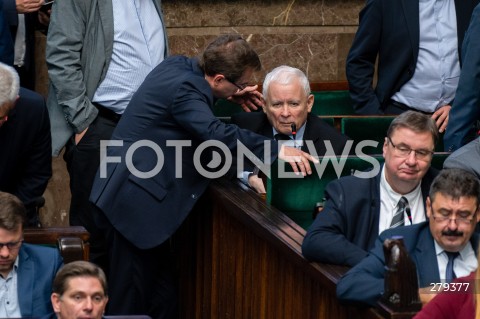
[[38, 169]]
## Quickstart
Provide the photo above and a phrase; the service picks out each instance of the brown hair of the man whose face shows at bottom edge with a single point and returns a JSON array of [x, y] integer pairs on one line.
[[75, 269]]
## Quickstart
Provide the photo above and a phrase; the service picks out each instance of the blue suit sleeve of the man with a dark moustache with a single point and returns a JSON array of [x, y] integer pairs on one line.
[[364, 283]]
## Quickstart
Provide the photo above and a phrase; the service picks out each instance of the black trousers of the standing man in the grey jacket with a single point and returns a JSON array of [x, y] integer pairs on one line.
[[83, 161]]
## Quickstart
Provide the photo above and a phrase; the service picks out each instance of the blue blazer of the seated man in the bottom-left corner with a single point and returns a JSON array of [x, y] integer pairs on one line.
[[37, 267]]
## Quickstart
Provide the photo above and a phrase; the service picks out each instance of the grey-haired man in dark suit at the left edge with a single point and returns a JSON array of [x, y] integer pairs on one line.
[[25, 140]]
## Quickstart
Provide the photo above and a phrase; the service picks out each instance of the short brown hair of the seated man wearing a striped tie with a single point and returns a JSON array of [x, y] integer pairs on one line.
[[415, 121]]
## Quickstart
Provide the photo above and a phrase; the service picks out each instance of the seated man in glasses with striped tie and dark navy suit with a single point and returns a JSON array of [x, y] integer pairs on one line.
[[358, 209]]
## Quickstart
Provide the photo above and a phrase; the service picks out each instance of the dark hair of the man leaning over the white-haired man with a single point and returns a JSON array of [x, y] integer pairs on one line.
[[229, 55]]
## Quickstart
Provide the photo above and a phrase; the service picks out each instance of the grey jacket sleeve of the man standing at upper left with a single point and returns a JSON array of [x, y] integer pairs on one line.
[[63, 54]]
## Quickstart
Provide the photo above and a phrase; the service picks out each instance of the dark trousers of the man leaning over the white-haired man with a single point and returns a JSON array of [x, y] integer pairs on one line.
[[141, 281]]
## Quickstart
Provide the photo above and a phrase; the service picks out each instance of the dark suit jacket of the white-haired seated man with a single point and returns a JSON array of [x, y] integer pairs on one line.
[[316, 131]]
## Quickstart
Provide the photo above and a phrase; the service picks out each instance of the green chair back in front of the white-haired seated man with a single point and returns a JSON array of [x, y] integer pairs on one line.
[[297, 197]]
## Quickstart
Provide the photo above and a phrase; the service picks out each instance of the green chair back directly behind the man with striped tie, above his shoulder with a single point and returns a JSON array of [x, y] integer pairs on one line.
[[362, 128]]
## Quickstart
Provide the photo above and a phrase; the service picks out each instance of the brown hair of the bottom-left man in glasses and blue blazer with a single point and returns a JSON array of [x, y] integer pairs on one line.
[[12, 212]]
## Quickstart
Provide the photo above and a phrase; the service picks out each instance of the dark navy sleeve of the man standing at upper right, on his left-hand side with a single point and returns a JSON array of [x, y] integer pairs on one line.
[[360, 66]]
